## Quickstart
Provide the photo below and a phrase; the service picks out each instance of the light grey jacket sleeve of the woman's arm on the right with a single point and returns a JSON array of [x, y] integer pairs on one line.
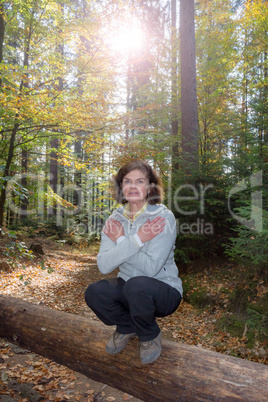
[[151, 259]]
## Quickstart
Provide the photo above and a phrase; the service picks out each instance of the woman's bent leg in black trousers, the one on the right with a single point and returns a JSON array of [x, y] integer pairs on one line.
[[148, 298]]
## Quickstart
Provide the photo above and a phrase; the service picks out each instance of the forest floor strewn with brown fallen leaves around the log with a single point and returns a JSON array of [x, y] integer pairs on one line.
[[26, 376]]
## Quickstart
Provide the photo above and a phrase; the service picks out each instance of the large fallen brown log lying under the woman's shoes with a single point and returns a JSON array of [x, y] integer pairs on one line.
[[182, 373]]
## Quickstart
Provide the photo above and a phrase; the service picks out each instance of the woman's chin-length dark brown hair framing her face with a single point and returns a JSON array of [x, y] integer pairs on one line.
[[155, 193]]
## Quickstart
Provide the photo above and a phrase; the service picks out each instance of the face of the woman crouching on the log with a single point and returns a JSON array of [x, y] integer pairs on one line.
[[135, 186]]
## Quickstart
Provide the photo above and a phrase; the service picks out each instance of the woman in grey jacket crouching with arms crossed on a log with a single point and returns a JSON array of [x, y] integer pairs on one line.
[[139, 239]]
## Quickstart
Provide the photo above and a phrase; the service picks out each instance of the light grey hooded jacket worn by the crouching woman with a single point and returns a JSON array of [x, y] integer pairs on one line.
[[154, 258]]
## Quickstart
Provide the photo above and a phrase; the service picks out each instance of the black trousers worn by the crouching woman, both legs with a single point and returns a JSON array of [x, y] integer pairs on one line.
[[133, 305]]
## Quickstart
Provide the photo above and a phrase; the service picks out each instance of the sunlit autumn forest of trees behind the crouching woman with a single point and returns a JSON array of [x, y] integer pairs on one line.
[[86, 85]]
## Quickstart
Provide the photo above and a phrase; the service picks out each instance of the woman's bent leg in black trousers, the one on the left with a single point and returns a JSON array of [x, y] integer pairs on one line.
[[105, 298]]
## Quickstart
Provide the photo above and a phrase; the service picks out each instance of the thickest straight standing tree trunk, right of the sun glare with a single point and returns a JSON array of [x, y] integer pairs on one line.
[[189, 118]]
